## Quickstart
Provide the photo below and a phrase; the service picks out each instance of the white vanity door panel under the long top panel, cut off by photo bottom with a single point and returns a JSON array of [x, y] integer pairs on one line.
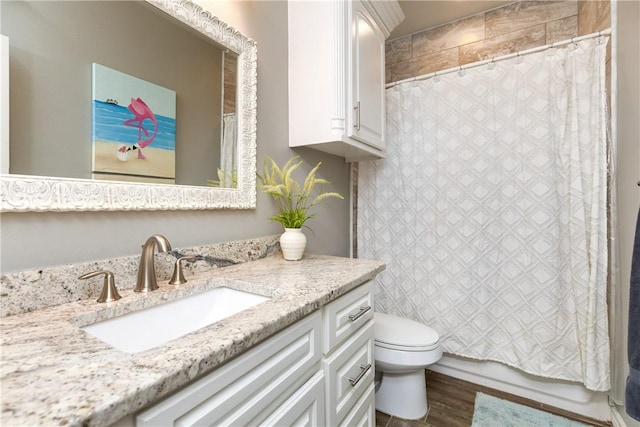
[[304, 408]]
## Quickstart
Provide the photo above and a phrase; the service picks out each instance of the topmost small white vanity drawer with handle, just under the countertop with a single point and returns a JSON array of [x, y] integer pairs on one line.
[[346, 315]]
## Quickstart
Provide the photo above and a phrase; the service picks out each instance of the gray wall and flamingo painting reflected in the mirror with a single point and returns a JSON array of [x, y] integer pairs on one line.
[[52, 85]]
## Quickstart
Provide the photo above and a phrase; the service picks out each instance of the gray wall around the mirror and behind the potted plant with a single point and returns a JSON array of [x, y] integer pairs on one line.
[[34, 240]]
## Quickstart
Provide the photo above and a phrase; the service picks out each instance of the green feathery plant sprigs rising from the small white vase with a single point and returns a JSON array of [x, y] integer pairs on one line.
[[292, 199]]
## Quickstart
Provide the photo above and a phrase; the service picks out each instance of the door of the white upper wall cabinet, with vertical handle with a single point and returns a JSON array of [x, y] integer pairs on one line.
[[367, 79]]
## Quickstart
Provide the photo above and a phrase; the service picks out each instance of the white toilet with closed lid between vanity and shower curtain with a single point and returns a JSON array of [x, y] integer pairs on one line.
[[403, 348]]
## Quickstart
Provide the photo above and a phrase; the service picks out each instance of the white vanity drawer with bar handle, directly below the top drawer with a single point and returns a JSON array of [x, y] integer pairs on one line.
[[349, 372]]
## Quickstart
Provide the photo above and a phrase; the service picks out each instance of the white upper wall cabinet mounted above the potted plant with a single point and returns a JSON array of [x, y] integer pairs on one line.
[[336, 75]]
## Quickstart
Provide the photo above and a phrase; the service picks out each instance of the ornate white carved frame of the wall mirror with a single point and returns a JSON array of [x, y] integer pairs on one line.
[[26, 193]]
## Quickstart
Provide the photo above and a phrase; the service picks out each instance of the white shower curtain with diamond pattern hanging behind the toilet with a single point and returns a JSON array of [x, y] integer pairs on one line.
[[490, 211]]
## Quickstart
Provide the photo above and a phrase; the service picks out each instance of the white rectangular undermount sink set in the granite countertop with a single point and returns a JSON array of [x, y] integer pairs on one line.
[[154, 326]]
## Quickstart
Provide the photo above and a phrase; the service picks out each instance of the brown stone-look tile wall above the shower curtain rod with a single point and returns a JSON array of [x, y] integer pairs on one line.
[[517, 26]]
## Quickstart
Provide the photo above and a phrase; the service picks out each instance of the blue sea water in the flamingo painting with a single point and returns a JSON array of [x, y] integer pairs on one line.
[[108, 125]]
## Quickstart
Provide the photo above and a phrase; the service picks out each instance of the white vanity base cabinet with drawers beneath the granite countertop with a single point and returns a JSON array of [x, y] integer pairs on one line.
[[317, 372]]
